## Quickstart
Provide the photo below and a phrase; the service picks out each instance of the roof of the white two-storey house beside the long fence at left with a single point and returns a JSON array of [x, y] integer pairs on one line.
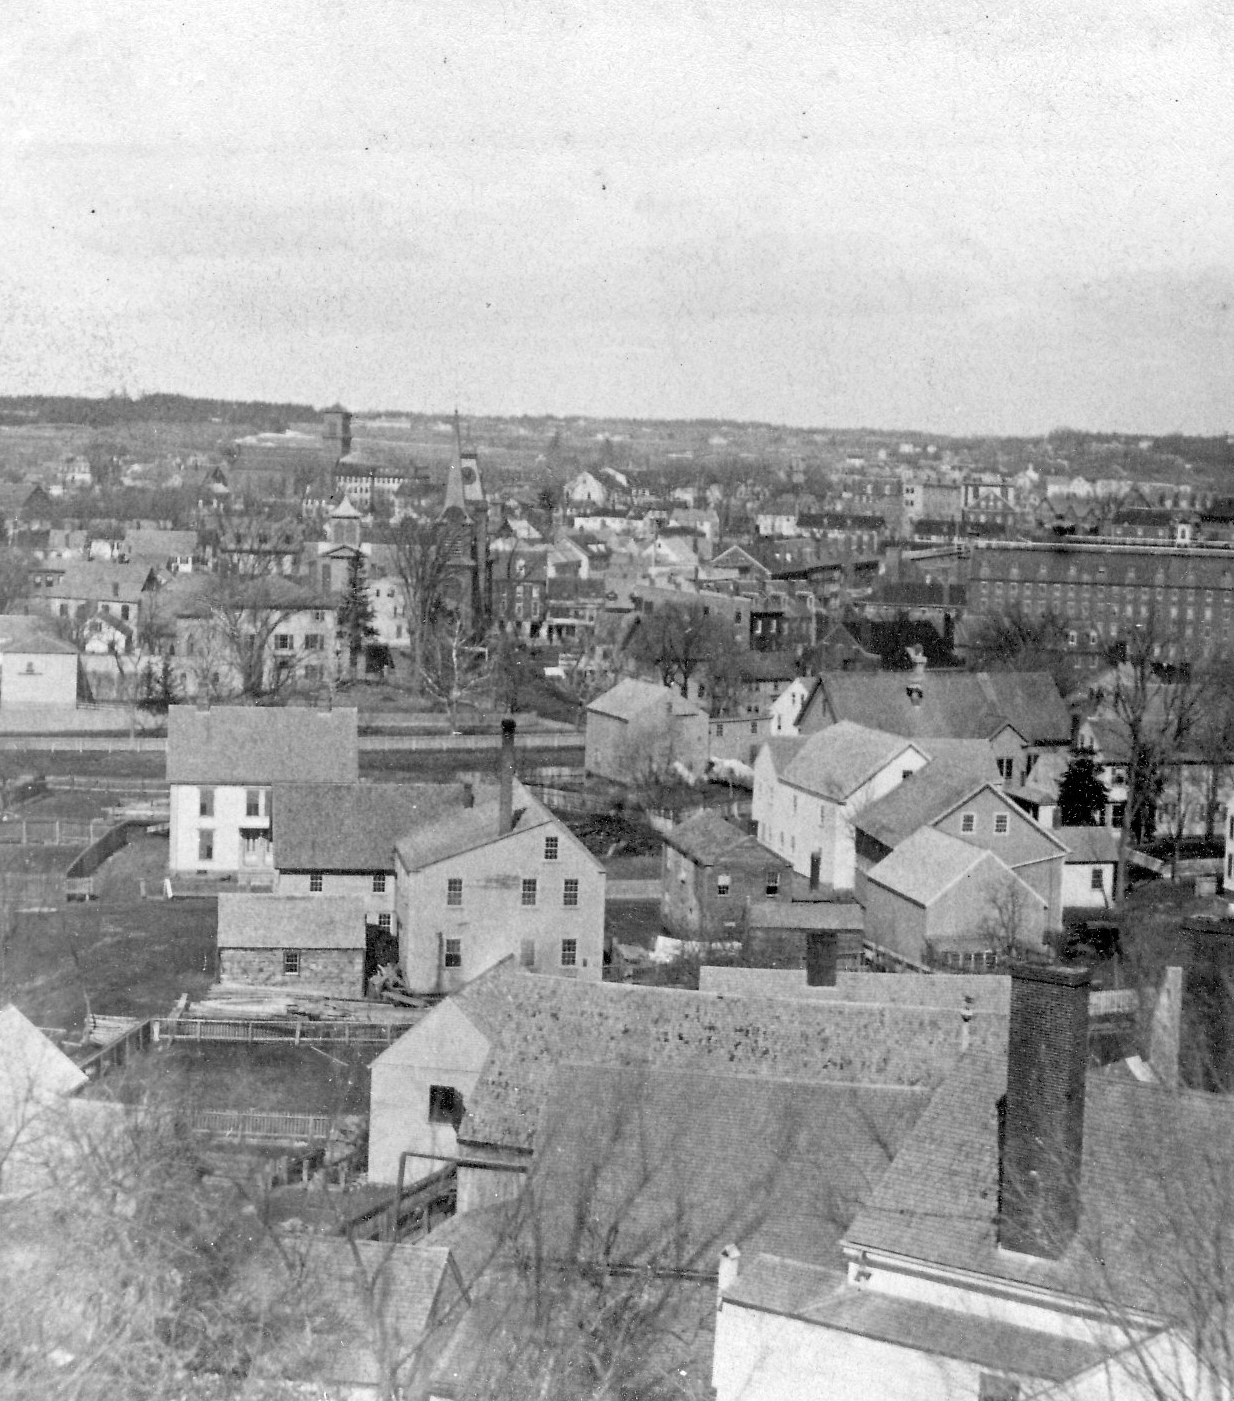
[[261, 745]]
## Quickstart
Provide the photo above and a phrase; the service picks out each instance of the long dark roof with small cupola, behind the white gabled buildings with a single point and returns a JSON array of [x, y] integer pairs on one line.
[[963, 705]]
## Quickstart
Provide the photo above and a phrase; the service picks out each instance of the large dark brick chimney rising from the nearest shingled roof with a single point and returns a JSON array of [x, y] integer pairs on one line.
[[1041, 1120]]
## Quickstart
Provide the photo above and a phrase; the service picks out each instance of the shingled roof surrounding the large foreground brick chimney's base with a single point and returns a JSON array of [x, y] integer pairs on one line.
[[1137, 1238]]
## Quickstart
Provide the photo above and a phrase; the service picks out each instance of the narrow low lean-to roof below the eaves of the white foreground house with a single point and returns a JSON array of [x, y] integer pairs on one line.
[[826, 1298]]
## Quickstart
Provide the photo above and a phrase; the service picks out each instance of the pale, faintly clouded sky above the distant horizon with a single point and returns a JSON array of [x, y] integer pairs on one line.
[[945, 216]]
